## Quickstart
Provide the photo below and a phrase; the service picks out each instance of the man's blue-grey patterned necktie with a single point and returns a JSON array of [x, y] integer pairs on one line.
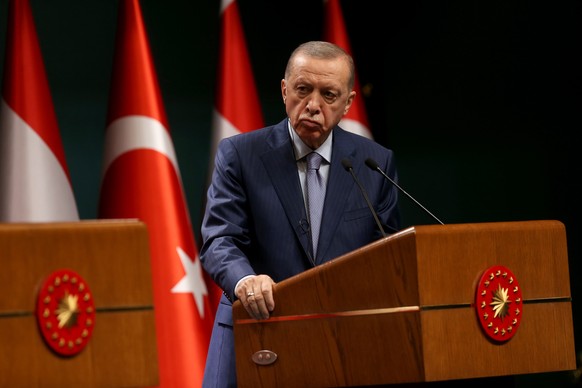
[[315, 196]]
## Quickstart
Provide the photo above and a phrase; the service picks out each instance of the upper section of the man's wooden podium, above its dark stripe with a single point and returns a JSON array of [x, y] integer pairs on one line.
[[431, 265]]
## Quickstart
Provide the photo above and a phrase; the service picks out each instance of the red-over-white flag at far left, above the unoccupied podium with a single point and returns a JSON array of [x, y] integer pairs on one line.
[[35, 185]]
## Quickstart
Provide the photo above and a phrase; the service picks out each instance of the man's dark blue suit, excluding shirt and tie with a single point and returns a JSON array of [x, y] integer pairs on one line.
[[255, 220]]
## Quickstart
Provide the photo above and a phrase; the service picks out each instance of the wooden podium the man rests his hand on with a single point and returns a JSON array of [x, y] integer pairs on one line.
[[402, 310]]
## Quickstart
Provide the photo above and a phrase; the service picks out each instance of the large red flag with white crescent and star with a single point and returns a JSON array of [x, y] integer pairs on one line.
[[141, 179]]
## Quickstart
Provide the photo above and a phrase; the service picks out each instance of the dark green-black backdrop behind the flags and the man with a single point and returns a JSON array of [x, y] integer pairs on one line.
[[480, 100]]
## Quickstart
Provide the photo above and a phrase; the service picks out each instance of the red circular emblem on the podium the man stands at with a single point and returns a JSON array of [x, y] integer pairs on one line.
[[498, 303]]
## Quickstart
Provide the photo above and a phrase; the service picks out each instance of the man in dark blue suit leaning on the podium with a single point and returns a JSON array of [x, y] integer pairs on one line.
[[257, 229]]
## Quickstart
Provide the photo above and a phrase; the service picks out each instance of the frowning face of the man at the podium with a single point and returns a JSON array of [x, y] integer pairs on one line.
[[316, 97]]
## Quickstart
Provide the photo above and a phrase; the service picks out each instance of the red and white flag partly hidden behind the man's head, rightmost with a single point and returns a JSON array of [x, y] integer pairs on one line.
[[335, 32]]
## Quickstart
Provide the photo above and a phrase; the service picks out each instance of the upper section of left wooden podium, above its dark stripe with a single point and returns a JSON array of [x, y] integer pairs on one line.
[[111, 255]]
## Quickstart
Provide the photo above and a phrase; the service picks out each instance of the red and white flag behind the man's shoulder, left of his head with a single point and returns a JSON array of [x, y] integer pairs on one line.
[[237, 101]]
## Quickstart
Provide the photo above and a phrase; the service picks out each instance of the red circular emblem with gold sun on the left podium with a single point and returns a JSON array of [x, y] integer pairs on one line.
[[65, 312]]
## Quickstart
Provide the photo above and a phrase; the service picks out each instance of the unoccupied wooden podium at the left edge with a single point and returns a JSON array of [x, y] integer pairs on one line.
[[112, 257]]
